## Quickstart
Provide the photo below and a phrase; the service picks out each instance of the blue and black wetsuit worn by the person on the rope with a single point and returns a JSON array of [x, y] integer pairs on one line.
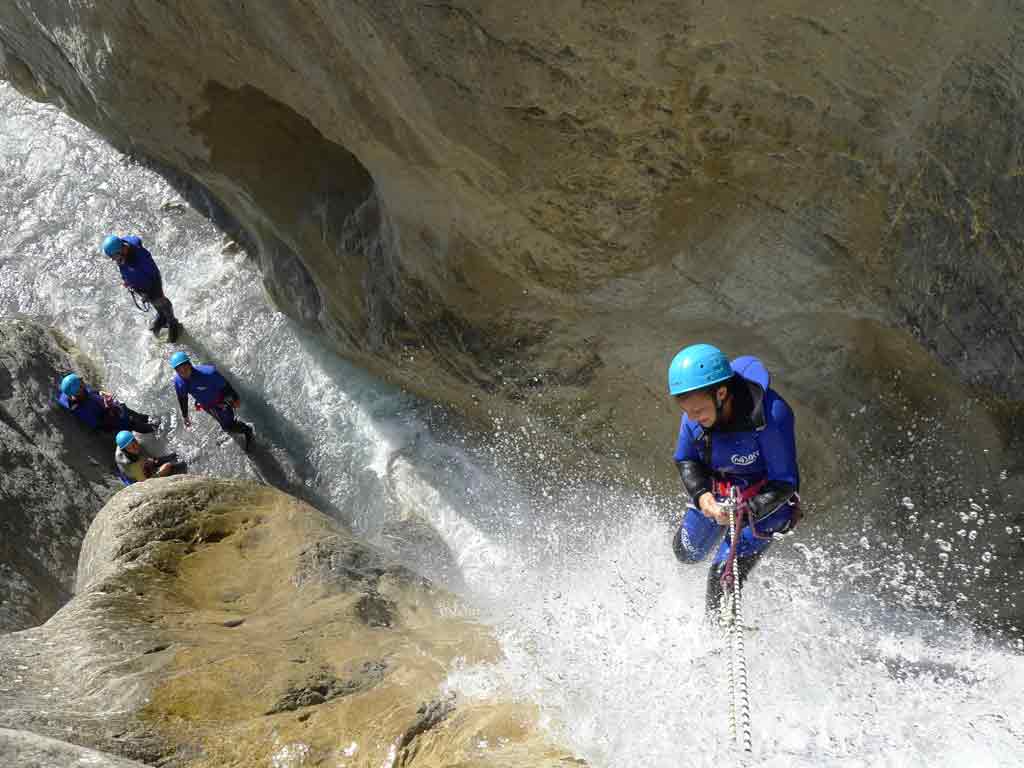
[[757, 454]]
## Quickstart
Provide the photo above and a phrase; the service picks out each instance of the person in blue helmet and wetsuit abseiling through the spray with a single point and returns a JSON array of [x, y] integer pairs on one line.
[[737, 441]]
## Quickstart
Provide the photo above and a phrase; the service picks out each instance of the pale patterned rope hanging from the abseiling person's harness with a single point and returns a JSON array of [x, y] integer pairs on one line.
[[740, 711]]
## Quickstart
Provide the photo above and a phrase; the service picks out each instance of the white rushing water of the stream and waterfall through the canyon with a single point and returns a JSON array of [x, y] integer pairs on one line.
[[601, 627]]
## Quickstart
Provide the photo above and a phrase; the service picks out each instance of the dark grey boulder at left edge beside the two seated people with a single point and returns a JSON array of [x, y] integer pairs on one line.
[[55, 476]]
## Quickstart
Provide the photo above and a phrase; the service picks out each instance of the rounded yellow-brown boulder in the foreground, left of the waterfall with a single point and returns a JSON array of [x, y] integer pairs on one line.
[[226, 623]]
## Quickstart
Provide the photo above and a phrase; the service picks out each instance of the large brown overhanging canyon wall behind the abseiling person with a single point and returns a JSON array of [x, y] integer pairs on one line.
[[532, 210]]
